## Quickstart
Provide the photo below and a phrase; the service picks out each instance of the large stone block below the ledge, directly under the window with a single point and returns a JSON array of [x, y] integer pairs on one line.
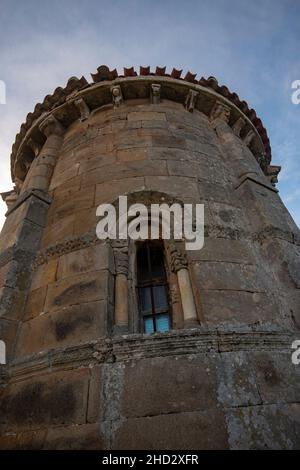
[[168, 385]]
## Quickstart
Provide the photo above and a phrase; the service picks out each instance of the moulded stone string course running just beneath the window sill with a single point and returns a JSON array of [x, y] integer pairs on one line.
[[139, 346]]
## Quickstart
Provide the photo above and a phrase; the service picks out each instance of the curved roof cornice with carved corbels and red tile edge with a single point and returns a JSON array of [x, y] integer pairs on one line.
[[65, 105]]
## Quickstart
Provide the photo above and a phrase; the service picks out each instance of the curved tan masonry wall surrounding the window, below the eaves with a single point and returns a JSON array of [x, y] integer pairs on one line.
[[229, 383]]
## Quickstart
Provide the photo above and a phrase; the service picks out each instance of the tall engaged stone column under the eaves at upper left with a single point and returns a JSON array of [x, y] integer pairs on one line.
[[40, 173]]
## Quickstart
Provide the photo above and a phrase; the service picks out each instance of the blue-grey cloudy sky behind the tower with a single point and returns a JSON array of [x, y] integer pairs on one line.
[[253, 47]]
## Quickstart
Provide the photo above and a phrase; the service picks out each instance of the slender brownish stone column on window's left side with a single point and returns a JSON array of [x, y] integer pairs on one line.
[[121, 287]]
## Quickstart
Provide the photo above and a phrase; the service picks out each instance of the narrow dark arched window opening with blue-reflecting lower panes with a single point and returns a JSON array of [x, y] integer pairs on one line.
[[153, 288]]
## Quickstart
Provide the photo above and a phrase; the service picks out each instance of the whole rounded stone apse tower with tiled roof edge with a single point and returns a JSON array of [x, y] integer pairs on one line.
[[143, 345]]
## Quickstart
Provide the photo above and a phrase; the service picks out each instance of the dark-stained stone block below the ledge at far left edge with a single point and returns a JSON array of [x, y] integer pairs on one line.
[[57, 398]]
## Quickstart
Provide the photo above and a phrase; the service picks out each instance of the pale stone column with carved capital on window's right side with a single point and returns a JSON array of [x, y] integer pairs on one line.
[[180, 267]]
